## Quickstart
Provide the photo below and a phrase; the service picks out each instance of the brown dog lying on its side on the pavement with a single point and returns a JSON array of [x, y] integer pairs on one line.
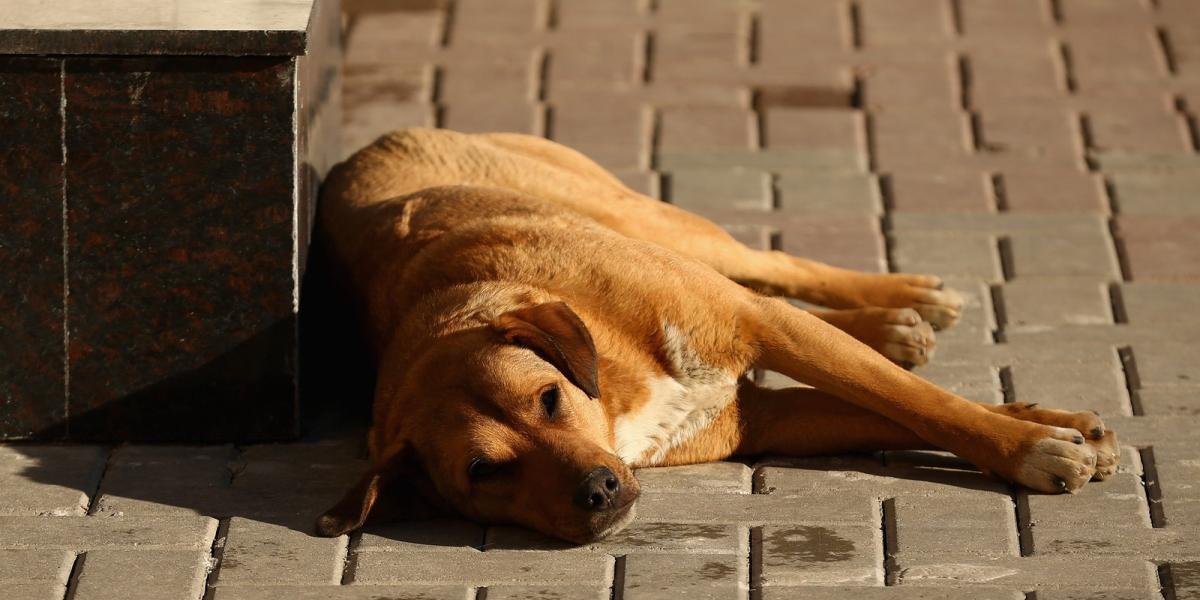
[[541, 329]]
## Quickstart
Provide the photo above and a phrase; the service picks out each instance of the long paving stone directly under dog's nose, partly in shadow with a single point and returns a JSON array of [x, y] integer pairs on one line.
[[639, 537]]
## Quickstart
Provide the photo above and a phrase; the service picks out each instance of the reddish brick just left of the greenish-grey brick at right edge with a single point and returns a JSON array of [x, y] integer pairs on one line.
[[1054, 191]]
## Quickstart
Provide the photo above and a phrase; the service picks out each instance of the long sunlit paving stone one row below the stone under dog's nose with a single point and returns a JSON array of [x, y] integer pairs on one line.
[[484, 568]]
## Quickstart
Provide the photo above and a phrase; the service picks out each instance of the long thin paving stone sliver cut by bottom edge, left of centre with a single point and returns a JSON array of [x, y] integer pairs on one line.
[[345, 593]]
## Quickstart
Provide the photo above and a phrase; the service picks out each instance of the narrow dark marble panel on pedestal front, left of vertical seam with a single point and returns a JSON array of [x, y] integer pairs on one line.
[[32, 346]]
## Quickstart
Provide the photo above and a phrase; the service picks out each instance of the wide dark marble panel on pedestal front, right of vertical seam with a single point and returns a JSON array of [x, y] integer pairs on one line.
[[181, 248]]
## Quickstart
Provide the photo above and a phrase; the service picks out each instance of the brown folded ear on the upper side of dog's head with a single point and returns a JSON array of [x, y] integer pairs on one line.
[[559, 335]]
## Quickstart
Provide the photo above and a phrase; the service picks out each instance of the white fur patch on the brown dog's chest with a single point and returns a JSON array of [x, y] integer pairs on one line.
[[681, 405]]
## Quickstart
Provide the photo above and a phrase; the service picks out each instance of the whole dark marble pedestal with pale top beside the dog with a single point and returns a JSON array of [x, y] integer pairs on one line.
[[159, 170]]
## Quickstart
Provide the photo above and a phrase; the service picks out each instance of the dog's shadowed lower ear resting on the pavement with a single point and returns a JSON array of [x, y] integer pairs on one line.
[[398, 490]]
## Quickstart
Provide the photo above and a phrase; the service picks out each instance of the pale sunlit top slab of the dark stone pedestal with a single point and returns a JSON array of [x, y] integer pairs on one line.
[[155, 27]]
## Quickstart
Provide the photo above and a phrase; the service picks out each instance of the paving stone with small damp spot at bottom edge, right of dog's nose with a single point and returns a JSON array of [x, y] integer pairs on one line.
[[704, 577]]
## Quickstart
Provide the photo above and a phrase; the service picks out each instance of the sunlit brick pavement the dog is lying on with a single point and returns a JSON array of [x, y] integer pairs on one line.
[[1040, 154]]
